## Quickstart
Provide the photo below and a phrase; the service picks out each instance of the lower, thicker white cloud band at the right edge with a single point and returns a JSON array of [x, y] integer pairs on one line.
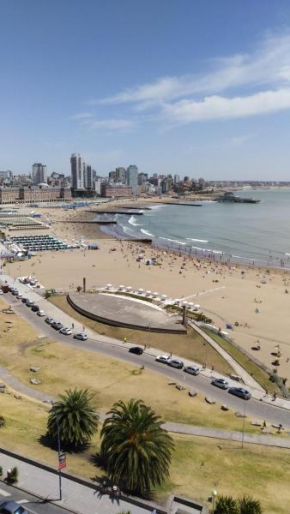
[[218, 107]]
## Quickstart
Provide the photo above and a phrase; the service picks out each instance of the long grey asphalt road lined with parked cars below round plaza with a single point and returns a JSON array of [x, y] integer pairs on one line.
[[252, 408]]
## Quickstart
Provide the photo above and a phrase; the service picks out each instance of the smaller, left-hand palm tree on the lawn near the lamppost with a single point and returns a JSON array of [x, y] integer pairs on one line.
[[75, 417]]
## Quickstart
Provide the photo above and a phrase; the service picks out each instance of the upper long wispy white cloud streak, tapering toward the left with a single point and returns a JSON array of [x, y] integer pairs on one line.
[[269, 64]]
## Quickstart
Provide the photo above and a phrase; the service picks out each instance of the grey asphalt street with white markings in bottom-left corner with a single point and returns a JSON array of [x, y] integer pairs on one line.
[[32, 504]]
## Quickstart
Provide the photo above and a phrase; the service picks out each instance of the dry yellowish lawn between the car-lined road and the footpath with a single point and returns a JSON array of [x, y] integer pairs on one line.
[[62, 367]]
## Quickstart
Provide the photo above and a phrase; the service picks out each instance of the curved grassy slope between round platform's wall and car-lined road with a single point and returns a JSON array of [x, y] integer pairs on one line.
[[189, 346]]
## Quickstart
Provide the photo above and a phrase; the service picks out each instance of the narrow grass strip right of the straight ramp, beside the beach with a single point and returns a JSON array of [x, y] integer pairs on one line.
[[248, 364]]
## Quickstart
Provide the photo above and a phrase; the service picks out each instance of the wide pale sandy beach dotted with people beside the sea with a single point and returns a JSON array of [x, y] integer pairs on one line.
[[255, 298]]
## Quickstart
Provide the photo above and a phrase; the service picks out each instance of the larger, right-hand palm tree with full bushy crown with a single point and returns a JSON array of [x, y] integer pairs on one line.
[[135, 449]]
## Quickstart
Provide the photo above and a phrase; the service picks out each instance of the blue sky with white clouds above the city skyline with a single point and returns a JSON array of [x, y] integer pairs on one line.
[[193, 87]]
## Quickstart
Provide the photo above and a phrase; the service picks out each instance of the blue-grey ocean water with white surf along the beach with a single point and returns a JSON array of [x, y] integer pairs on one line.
[[254, 233]]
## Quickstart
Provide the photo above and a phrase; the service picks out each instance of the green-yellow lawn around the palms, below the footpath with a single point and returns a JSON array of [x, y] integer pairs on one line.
[[198, 464]]
